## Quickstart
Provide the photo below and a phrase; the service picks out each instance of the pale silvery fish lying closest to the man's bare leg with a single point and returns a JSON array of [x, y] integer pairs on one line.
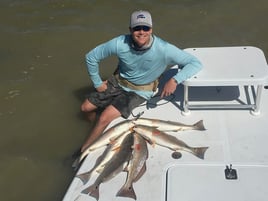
[[107, 137]]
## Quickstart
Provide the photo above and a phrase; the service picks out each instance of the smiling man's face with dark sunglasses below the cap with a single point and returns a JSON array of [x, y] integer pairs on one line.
[[141, 35]]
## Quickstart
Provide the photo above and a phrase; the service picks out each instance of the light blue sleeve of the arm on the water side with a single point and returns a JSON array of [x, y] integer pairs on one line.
[[94, 57]]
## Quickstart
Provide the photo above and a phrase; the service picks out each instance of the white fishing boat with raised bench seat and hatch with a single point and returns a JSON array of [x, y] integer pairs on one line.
[[230, 95]]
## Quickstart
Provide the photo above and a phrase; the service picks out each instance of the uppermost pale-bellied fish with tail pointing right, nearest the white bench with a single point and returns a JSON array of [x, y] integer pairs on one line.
[[163, 125]]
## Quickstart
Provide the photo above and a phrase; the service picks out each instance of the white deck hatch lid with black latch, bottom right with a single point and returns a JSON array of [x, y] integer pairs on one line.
[[210, 182]]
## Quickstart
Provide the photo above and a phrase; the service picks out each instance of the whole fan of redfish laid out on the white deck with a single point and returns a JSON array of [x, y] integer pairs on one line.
[[127, 151]]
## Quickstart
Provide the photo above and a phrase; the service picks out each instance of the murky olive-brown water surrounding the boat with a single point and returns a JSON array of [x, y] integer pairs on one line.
[[43, 78]]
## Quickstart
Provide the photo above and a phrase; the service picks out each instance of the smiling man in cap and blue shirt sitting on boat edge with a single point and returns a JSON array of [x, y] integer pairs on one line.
[[143, 57]]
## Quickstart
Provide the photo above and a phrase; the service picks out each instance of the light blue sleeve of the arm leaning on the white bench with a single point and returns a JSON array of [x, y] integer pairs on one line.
[[189, 65]]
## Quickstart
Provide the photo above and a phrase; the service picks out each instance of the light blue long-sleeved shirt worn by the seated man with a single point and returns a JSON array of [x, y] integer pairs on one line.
[[142, 67]]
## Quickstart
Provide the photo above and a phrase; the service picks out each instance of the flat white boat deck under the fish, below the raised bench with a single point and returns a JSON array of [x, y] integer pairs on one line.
[[233, 136]]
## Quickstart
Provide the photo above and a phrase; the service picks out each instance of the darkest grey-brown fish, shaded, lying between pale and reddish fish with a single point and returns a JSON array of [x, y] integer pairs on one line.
[[112, 167]]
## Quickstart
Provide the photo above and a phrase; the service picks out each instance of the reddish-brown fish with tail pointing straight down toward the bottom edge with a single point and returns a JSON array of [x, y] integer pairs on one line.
[[136, 167]]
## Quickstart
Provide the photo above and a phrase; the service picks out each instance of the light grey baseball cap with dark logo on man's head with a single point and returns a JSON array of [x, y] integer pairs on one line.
[[141, 18]]
